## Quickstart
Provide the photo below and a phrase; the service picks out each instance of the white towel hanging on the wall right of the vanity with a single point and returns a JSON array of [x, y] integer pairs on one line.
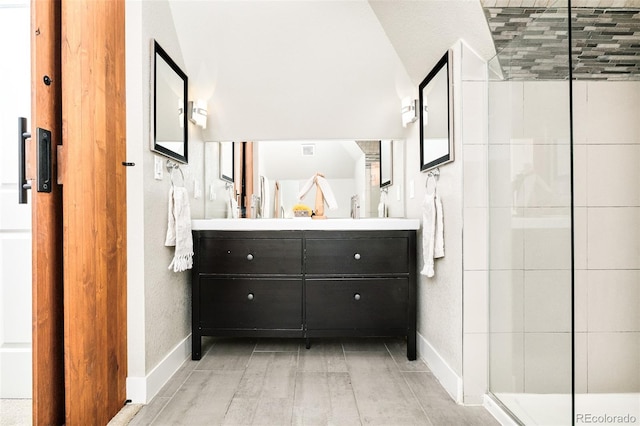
[[432, 232]]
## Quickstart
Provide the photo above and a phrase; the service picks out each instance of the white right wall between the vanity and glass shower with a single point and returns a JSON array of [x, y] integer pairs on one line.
[[452, 306]]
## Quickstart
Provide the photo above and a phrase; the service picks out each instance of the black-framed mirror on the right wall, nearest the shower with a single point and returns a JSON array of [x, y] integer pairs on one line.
[[436, 116]]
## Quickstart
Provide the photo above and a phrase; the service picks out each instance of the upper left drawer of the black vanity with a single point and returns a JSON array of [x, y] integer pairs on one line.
[[250, 255]]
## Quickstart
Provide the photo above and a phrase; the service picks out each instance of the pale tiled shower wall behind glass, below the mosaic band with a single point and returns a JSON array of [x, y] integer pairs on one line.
[[529, 237]]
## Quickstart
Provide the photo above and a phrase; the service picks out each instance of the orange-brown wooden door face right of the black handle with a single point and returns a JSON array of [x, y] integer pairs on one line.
[[94, 209]]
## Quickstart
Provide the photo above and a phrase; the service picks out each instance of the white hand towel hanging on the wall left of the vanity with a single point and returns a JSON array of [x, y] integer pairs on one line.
[[179, 229]]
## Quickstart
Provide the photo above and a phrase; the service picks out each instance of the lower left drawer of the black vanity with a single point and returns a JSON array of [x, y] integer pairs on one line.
[[247, 303]]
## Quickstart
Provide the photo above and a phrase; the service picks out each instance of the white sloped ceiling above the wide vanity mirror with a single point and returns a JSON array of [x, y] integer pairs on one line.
[[330, 69]]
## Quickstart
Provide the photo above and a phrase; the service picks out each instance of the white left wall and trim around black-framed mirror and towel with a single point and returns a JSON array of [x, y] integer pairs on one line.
[[159, 311]]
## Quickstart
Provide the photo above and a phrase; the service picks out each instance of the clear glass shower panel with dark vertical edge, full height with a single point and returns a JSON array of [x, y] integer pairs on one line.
[[530, 224]]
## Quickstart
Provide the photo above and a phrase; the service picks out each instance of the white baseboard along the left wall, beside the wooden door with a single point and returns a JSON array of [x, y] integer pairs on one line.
[[140, 390]]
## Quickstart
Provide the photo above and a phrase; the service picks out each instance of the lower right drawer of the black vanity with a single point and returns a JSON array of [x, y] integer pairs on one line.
[[357, 303]]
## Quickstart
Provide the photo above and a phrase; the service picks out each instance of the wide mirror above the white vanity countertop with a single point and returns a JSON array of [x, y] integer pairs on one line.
[[269, 184]]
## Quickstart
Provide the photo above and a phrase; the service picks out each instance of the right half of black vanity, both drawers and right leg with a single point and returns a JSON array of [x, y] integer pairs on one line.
[[361, 283]]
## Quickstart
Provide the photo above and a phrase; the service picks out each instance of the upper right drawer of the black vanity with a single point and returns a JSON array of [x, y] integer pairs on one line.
[[356, 255]]
